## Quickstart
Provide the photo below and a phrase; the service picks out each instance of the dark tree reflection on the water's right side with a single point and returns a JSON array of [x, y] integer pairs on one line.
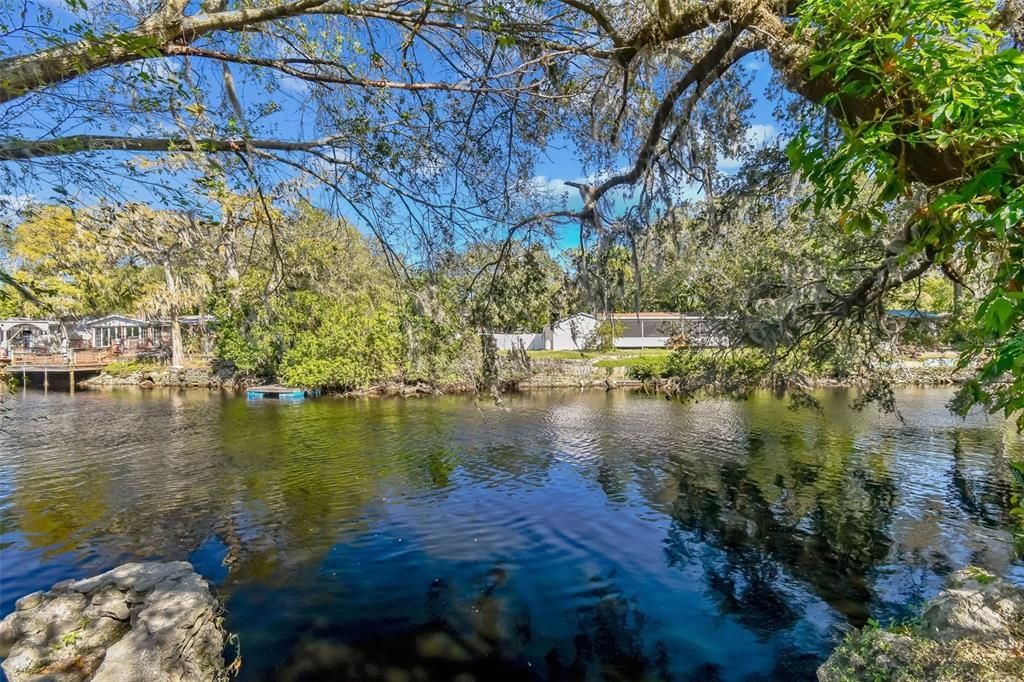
[[822, 523]]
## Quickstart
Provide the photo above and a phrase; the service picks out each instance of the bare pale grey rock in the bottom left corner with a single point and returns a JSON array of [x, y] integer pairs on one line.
[[140, 622]]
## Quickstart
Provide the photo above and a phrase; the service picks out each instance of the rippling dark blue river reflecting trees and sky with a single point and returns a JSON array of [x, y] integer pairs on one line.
[[563, 536]]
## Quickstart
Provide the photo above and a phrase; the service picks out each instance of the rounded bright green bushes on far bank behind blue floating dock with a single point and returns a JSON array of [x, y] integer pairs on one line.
[[324, 312]]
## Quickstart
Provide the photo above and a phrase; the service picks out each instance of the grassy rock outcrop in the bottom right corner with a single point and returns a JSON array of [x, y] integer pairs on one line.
[[973, 630]]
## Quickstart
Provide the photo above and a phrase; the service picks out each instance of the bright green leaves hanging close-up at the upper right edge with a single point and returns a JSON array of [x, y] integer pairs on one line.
[[946, 89]]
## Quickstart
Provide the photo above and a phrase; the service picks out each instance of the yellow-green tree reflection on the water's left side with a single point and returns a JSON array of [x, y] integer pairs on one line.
[[279, 488]]
